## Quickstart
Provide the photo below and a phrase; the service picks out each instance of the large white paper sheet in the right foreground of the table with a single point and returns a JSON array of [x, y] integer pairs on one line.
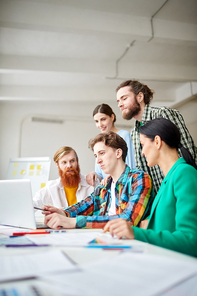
[[129, 273]]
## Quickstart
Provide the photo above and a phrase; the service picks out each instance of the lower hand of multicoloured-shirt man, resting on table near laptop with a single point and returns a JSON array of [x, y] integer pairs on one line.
[[57, 221]]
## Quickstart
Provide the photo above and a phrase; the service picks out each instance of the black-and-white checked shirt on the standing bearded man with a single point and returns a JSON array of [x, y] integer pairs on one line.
[[186, 140]]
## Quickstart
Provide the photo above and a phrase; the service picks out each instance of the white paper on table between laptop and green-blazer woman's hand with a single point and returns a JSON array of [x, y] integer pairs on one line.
[[71, 239]]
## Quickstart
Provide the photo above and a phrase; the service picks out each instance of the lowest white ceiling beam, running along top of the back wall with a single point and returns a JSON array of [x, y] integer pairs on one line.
[[80, 94]]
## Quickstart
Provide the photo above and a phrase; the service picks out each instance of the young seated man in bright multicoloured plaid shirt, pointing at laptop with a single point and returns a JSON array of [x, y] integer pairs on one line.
[[128, 193]]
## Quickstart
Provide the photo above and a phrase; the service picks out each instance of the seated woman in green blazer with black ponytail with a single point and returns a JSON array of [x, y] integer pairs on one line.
[[172, 223]]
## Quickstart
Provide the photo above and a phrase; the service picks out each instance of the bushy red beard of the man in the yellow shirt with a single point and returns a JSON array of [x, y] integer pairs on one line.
[[70, 179]]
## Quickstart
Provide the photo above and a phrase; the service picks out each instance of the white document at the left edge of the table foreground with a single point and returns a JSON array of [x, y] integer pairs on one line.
[[34, 264]]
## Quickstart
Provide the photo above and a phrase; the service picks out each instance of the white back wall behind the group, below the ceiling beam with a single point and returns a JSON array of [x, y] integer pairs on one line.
[[19, 136]]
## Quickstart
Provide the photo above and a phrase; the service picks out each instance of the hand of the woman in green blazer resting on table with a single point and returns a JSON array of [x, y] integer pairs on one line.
[[120, 228]]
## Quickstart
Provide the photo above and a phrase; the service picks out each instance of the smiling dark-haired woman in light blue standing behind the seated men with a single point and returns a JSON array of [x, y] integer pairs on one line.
[[104, 118]]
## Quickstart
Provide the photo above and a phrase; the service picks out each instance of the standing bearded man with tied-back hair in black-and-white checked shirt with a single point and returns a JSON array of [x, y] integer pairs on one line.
[[133, 100]]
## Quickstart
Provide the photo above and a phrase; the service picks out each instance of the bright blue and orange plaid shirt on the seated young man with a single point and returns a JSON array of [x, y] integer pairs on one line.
[[134, 196]]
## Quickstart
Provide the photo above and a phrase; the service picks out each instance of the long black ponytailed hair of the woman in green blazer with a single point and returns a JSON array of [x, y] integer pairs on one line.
[[168, 133]]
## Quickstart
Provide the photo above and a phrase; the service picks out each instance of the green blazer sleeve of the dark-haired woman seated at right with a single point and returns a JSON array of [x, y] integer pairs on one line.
[[184, 237]]
